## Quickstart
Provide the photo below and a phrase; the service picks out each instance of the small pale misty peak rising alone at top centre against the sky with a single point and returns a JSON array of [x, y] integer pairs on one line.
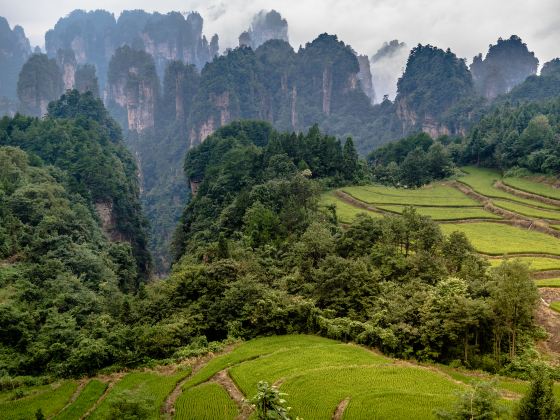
[[264, 27]]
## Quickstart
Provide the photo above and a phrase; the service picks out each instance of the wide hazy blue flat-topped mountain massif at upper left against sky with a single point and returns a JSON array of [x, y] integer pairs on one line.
[[94, 37]]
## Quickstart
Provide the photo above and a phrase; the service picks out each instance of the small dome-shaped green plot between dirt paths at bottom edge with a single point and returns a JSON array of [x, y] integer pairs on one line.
[[208, 401]]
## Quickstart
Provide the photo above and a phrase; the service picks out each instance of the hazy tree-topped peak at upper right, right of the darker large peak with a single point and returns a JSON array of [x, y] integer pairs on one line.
[[507, 64]]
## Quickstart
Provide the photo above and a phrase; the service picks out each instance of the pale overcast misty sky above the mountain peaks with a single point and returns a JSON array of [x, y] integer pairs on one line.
[[465, 26]]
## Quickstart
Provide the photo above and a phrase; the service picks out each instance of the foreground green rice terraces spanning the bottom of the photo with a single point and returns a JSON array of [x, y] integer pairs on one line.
[[323, 378]]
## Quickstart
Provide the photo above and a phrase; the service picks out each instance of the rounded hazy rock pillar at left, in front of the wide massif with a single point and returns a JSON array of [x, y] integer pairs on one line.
[[40, 81]]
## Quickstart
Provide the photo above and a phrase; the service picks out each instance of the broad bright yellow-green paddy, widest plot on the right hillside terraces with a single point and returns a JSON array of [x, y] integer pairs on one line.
[[499, 239]]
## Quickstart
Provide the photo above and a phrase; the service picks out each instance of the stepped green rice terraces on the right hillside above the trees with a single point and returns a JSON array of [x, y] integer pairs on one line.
[[502, 217]]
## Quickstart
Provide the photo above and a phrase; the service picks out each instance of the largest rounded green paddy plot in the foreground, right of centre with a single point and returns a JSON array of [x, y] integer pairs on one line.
[[375, 392]]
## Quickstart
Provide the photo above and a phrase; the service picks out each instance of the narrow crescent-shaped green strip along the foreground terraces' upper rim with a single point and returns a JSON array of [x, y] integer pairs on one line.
[[252, 350]]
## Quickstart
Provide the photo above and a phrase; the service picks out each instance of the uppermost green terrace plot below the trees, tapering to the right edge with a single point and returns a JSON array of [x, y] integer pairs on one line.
[[482, 181]]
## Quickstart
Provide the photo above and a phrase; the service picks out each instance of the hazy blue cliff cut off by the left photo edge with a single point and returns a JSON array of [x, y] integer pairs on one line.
[[14, 51]]
